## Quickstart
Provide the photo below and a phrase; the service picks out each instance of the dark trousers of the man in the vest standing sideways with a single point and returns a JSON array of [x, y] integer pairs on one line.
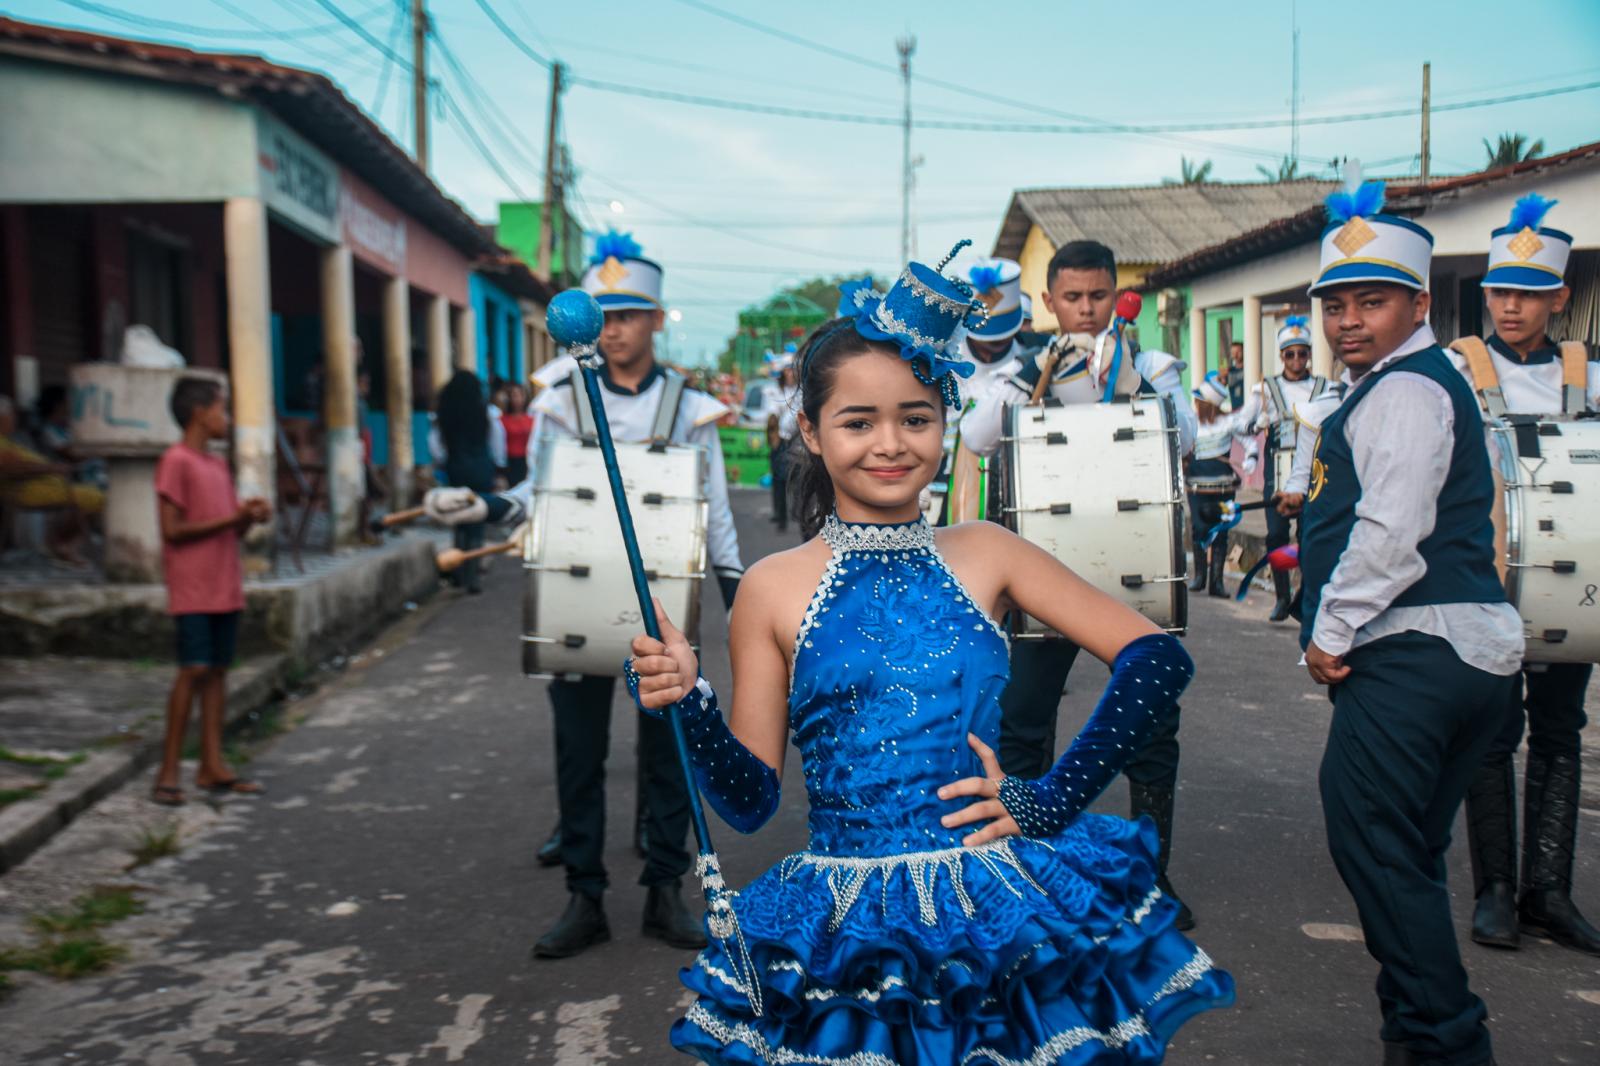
[[1410, 727]]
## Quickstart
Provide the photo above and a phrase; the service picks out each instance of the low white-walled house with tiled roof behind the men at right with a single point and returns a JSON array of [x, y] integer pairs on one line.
[[1262, 276]]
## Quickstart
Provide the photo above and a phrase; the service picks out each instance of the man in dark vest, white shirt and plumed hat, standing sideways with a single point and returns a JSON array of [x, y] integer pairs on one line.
[[1404, 619]]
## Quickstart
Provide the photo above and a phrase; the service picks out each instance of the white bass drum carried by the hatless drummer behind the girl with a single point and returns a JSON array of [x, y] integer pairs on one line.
[[1098, 486]]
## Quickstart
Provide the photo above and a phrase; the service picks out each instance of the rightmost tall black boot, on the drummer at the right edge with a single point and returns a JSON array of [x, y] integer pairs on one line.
[[1551, 817]]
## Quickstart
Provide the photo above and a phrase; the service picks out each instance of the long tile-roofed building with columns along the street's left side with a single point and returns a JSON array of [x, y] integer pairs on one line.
[[298, 249]]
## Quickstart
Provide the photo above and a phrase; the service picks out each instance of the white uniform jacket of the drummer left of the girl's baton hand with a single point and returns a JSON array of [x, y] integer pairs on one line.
[[631, 417]]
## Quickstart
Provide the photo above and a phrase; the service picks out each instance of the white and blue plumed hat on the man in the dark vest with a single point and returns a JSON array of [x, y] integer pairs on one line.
[[1361, 244]]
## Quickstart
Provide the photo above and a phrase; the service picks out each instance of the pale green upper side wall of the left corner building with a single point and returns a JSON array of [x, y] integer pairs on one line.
[[81, 137]]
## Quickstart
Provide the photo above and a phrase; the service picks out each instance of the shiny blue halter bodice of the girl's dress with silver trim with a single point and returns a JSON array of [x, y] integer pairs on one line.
[[895, 665]]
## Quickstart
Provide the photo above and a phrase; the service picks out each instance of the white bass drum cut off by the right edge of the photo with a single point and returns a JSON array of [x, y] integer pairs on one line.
[[1546, 537]]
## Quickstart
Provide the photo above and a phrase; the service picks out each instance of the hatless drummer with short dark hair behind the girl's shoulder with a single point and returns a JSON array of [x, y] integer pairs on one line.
[[1082, 295]]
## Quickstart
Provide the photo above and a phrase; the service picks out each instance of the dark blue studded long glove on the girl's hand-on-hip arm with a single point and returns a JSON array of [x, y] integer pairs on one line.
[[1146, 681]]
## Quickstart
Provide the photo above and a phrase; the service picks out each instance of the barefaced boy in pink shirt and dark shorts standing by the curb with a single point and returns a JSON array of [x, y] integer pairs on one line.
[[206, 585]]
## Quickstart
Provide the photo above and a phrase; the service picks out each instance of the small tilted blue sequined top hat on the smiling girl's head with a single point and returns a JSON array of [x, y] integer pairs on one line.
[[922, 315]]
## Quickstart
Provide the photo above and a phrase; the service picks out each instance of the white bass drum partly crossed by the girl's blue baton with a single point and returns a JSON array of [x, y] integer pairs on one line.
[[580, 611]]
